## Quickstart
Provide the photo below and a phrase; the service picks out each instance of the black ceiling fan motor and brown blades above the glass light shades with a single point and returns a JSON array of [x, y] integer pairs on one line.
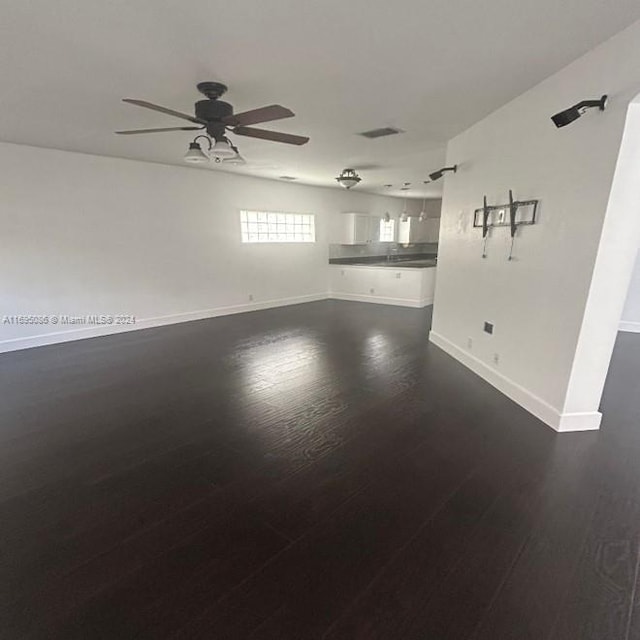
[[217, 117]]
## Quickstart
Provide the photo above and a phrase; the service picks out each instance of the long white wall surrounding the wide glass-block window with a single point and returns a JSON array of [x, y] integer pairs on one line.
[[84, 234]]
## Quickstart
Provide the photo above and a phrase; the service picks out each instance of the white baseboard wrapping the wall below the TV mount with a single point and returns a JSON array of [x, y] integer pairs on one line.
[[542, 410]]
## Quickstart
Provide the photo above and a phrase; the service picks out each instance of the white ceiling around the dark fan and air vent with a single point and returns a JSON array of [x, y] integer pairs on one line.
[[429, 67]]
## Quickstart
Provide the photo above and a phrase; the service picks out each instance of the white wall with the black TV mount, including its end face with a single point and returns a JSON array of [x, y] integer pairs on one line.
[[555, 307]]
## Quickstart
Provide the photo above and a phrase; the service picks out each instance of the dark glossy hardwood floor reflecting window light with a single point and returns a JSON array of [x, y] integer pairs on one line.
[[317, 471]]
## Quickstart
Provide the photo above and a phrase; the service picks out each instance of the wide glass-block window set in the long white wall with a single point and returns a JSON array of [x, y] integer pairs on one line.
[[266, 226]]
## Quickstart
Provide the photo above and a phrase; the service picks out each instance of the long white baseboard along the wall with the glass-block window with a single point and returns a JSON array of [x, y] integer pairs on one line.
[[82, 333]]
